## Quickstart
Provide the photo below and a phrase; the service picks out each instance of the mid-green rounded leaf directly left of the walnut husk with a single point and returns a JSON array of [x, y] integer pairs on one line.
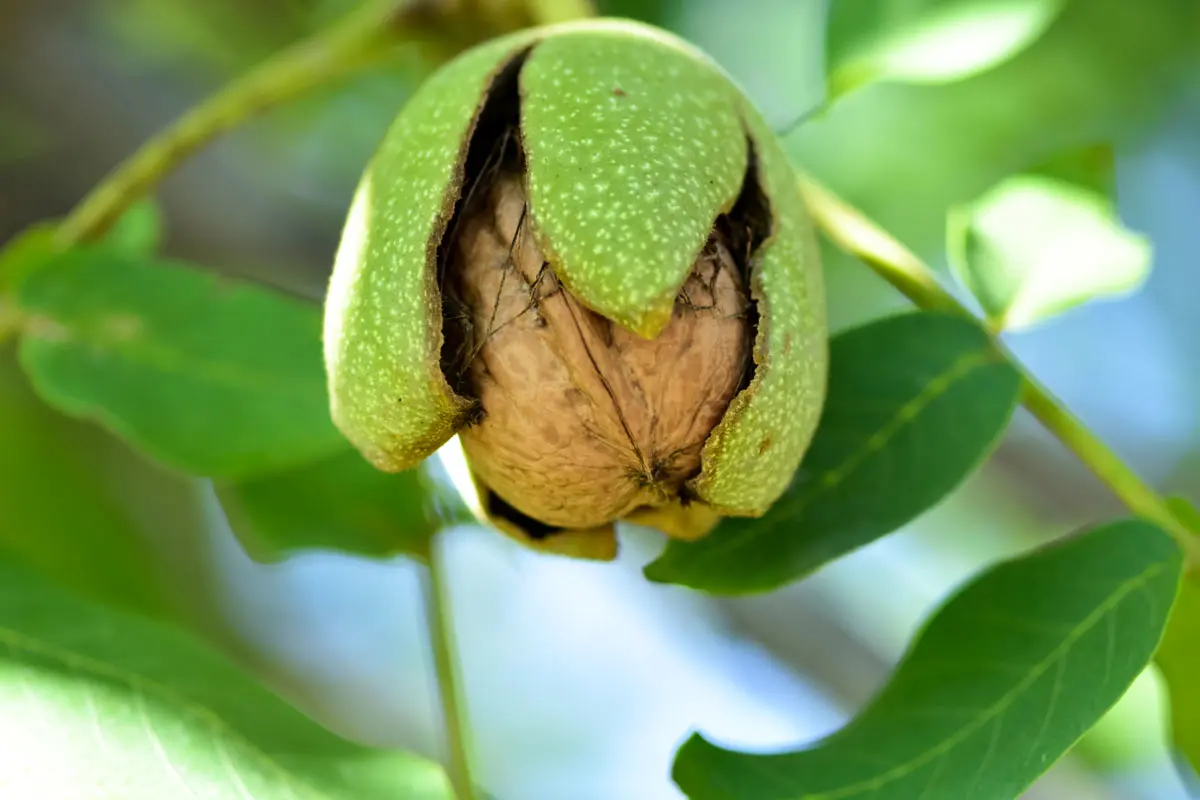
[[208, 376]]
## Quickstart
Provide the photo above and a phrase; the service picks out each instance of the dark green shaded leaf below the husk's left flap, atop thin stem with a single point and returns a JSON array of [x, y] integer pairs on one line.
[[341, 503]]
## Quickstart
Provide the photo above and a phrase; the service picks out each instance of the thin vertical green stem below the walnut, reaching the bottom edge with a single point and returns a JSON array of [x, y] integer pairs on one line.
[[440, 619]]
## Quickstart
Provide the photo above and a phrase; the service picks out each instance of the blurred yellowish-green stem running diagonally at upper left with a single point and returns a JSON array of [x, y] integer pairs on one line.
[[357, 41]]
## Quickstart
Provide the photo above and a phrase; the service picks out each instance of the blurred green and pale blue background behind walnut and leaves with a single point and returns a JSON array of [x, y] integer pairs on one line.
[[584, 678]]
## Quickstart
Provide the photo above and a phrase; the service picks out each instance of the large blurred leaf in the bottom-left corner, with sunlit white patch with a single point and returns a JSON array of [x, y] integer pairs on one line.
[[95, 703]]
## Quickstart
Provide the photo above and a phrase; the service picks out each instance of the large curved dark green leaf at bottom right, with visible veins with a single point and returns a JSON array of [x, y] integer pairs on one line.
[[1000, 684]]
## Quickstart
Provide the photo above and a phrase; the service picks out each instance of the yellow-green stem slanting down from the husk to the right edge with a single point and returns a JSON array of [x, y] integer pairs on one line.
[[862, 238]]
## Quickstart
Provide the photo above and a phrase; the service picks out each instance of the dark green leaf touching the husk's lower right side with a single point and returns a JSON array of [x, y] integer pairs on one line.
[[915, 404]]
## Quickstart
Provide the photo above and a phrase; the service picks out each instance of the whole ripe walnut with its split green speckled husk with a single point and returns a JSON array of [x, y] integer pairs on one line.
[[581, 250]]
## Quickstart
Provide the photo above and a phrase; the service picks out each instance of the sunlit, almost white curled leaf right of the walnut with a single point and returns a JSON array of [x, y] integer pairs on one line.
[[1035, 246]]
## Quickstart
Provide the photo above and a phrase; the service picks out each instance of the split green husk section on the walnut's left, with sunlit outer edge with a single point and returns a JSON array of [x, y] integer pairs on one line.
[[383, 314]]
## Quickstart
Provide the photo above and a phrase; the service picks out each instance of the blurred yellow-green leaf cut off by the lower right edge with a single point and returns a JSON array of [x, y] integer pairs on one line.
[[1179, 657]]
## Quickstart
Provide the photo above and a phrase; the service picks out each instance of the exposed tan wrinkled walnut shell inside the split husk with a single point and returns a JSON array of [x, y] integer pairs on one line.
[[583, 422]]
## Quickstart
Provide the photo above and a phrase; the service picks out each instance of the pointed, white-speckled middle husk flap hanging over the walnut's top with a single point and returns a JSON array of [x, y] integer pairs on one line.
[[634, 147]]
